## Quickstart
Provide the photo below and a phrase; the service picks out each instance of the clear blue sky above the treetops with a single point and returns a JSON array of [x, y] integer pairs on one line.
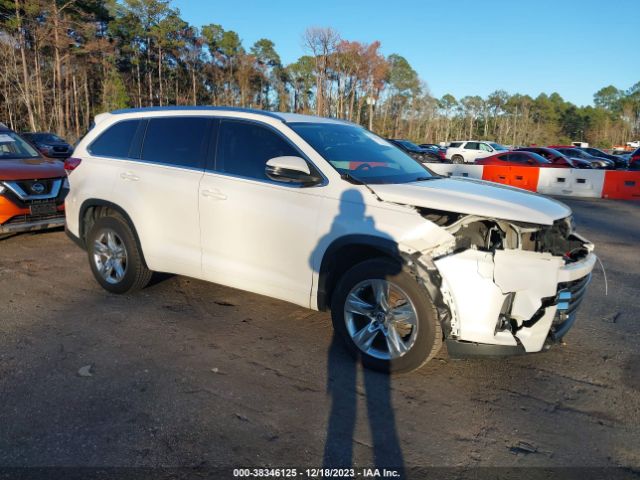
[[461, 47]]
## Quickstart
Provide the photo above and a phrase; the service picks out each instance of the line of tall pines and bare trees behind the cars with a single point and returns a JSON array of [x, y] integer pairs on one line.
[[63, 61]]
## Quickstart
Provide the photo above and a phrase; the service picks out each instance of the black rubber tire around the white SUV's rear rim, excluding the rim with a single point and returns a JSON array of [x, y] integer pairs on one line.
[[136, 274]]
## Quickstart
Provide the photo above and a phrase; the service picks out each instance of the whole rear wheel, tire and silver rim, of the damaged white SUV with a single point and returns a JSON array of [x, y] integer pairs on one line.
[[114, 256]]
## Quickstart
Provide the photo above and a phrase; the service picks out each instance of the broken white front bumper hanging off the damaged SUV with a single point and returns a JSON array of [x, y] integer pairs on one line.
[[505, 301]]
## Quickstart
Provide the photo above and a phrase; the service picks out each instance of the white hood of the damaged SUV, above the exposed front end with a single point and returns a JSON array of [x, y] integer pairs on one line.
[[475, 197]]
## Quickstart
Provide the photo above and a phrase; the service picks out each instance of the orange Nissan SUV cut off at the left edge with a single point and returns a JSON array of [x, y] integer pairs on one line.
[[32, 187]]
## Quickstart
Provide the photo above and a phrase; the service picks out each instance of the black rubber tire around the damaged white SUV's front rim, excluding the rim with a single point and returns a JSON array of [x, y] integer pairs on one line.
[[429, 333]]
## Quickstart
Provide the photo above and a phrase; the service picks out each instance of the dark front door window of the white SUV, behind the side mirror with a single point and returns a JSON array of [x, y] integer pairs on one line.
[[244, 148]]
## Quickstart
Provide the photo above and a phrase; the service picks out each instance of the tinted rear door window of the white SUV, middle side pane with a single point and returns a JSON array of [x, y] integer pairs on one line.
[[177, 141]]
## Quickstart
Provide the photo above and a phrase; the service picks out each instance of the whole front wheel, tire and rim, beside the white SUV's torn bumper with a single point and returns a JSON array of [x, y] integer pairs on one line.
[[385, 318]]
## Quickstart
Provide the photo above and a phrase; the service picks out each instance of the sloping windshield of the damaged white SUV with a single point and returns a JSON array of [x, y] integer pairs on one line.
[[352, 150]]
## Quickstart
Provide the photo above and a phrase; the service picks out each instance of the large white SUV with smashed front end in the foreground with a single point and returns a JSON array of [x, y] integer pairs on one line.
[[327, 215]]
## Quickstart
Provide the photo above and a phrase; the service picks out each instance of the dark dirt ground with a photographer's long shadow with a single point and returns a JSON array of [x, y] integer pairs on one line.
[[187, 373]]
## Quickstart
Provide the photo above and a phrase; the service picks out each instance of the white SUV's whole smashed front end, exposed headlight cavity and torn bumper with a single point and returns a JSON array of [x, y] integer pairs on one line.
[[504, 287]]
